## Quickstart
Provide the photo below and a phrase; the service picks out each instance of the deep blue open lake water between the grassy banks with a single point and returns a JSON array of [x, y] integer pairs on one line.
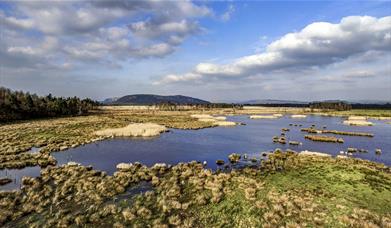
[[217, 143]]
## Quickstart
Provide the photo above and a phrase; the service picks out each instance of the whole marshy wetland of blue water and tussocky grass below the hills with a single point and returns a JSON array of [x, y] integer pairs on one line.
[[198, 166]]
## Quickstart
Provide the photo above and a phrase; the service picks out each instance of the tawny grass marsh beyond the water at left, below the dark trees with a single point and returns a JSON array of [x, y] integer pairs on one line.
[[58, 134]]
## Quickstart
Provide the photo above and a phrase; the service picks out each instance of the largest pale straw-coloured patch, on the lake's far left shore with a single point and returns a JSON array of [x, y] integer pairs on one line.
[[134, 130]]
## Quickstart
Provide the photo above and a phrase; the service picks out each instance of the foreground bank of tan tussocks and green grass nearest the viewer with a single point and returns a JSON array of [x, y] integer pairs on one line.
[[290, 191]]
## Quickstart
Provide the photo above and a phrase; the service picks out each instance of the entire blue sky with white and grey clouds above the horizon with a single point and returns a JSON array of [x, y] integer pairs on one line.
[[223, 51]]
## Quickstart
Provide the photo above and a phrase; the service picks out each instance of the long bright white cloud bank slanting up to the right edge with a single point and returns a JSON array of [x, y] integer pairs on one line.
[[317, 45]]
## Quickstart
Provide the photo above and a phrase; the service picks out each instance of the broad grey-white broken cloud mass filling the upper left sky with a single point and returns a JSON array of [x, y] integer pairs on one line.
[[100, 31]]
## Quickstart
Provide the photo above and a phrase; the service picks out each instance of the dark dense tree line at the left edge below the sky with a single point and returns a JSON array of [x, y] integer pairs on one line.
[[17, 105]]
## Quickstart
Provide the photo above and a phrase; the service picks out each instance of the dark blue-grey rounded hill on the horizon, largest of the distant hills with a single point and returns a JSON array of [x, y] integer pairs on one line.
[[150, 99]]
